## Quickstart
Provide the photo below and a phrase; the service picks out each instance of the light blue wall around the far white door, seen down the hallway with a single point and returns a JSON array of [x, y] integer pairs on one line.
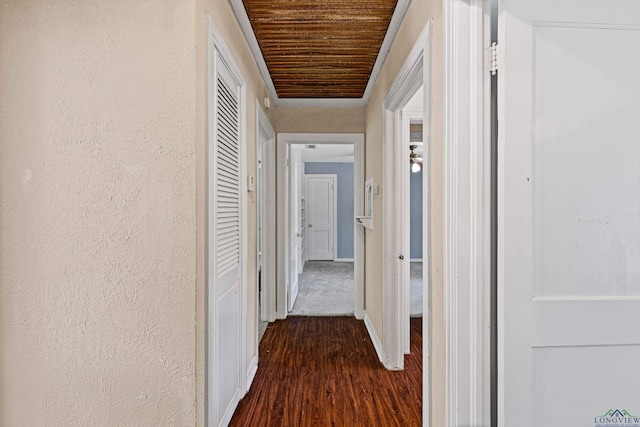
[[345, 201]]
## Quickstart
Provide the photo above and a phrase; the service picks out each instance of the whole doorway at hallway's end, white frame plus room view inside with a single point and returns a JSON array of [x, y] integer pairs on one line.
[[323, 180]]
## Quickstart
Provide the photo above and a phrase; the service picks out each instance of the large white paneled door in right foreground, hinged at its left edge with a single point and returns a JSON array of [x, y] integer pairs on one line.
[[569, 212]]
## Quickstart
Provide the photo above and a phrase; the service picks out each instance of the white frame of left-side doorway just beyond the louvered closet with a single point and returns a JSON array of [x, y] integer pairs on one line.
[[268, 297]]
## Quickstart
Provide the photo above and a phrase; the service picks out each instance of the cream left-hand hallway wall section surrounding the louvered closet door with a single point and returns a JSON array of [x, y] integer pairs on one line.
[[227, 25]]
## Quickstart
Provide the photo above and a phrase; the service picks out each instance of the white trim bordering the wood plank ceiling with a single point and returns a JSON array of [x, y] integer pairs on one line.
[[394, 25]]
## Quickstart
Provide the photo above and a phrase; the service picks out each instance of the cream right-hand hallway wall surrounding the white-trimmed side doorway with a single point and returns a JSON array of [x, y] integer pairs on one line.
[[419, 12]]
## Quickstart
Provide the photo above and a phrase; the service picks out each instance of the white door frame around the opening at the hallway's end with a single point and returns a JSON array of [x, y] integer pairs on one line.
[[283, 141]]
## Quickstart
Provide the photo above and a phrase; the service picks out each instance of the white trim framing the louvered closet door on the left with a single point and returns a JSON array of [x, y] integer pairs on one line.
[[217, 48]]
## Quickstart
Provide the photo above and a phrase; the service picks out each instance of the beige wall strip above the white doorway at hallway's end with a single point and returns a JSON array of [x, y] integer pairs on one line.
[[320, 119]]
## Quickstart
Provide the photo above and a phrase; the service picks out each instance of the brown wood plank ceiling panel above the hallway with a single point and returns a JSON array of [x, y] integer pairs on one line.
[[320, 48]]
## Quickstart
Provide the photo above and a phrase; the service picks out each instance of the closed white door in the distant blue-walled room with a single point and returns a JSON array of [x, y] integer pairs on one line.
[[320, 197]]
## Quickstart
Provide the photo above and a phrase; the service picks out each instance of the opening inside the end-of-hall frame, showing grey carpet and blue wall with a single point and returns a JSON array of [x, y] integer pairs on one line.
[[321, 267]]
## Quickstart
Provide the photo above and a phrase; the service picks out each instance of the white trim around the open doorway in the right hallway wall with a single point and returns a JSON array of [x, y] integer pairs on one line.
[[414, 73]]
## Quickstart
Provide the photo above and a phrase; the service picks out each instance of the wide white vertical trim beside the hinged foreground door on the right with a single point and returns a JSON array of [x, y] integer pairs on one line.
[[467, 235]]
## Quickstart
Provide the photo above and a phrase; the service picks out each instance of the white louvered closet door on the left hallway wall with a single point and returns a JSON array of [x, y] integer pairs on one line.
[[225, 244]]
